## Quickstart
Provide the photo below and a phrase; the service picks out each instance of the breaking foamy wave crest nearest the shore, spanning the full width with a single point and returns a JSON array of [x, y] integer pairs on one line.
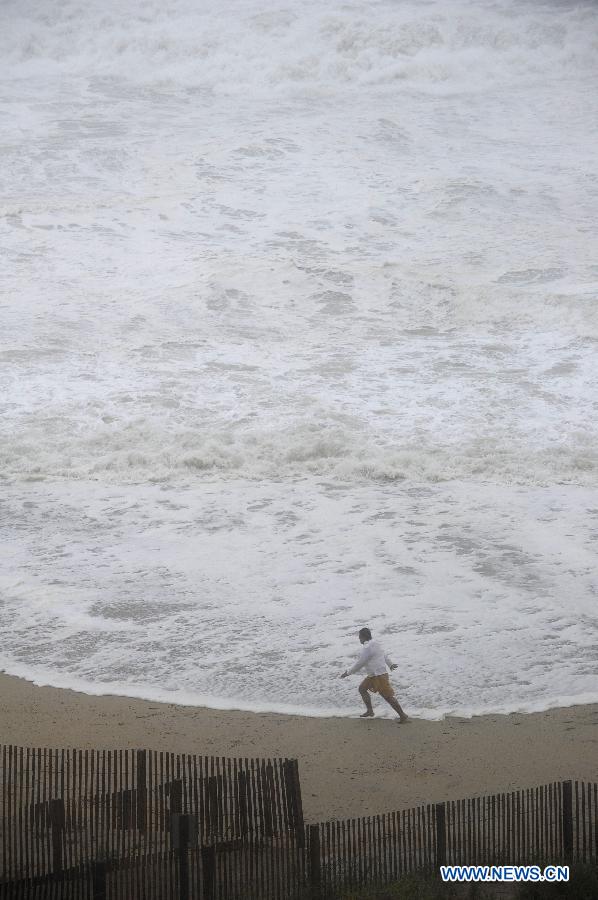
[[142, 452]]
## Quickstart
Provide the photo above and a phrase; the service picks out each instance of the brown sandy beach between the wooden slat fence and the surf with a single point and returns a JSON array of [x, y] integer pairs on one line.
[[349, 767]]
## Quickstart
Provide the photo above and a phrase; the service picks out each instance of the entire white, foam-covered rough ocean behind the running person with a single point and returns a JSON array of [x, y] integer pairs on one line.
[[298, 332]]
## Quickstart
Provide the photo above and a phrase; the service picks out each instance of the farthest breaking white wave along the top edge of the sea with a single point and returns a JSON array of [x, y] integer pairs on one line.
[[294, 46]]
